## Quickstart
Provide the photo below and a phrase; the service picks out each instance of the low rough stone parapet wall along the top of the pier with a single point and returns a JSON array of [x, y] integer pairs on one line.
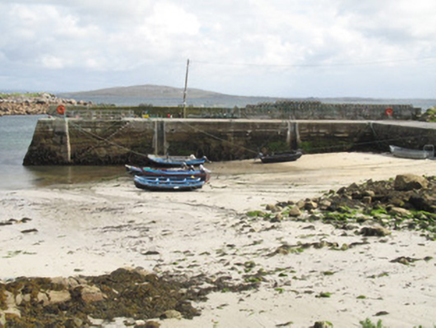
[[279, 110]]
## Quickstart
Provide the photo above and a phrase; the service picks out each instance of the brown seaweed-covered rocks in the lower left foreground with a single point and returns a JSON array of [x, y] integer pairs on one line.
[[72, 302]]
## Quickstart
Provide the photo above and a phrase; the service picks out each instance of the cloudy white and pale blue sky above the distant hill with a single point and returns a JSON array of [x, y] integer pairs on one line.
[[284, 48]]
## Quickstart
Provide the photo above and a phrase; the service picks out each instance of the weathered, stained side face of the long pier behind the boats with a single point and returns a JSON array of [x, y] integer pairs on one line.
[[130, 140]]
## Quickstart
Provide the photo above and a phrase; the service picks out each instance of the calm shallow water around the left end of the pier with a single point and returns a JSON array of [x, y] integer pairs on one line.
[[16, 134]]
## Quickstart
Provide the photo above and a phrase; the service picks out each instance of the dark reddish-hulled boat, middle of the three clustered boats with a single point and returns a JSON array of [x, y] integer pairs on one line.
[[201, 172]]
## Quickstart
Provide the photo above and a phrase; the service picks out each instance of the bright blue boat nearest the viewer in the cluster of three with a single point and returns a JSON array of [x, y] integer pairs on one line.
[[168, 183]]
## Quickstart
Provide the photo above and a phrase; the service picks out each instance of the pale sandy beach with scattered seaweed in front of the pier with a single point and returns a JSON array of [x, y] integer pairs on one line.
[[91, 229]]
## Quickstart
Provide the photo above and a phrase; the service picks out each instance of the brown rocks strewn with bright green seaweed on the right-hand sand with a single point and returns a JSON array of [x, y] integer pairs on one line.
[[407, 202]]
